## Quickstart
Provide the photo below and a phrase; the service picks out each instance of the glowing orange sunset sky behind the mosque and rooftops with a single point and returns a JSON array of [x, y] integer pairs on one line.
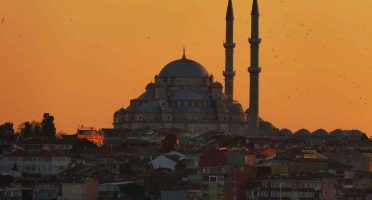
[[80, 60]]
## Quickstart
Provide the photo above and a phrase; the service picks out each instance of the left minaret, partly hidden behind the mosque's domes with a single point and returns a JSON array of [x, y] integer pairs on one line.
[[229, 45]]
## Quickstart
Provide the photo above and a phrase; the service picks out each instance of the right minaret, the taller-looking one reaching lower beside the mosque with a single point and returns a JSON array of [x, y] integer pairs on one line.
[[254, 70]]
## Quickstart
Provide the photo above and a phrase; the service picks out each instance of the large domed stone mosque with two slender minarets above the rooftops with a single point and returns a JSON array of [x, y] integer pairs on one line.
[[185, 96]]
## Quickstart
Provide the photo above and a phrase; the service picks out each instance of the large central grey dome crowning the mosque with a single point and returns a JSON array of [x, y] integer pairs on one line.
[[183, 68]]
